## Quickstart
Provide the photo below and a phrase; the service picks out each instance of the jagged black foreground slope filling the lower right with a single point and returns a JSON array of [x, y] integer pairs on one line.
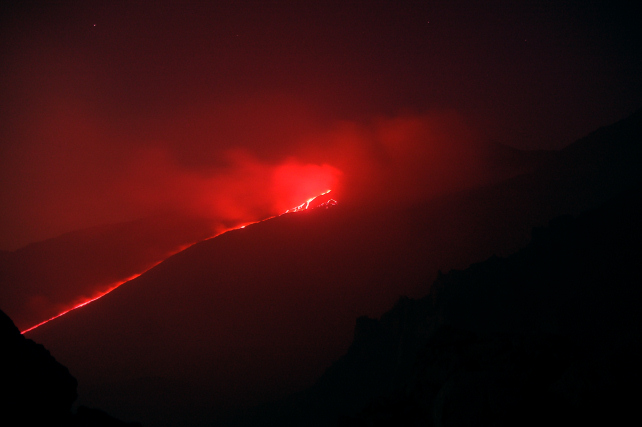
[[551, 335]]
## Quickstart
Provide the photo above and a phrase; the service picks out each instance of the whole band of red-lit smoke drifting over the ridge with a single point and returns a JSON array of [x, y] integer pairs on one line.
[[72, 170]]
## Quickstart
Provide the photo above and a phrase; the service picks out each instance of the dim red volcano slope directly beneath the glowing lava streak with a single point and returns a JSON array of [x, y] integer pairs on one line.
[[259, 312]]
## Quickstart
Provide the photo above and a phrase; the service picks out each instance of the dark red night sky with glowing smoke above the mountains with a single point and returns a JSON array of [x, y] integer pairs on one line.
[[115, 110]]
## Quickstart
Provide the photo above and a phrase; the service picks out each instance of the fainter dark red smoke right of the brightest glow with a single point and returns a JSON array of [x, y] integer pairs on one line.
[[408, 157]]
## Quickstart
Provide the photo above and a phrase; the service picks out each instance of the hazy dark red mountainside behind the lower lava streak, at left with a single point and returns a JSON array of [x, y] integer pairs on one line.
[[45, 278]]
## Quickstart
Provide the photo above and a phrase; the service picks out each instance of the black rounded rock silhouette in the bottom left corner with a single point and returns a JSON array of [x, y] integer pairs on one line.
[[37, 389]]
